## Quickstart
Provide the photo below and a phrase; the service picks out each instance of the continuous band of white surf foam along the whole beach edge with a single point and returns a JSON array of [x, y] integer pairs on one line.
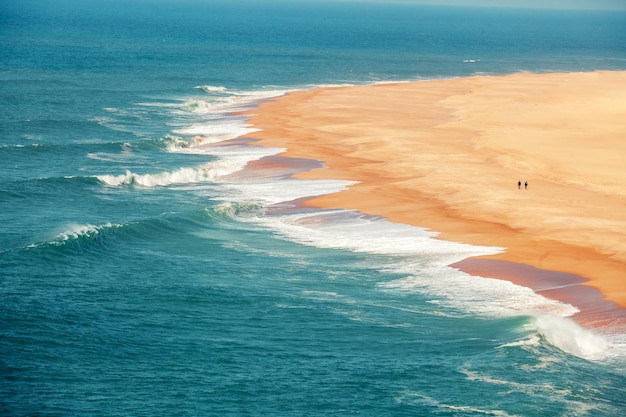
[[414, 253]]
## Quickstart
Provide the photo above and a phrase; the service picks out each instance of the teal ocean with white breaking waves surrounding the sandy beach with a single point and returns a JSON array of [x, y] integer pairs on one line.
[[142, 273]]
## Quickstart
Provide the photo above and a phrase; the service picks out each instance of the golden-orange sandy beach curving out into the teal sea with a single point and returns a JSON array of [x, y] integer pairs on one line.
[[447, 155]]
